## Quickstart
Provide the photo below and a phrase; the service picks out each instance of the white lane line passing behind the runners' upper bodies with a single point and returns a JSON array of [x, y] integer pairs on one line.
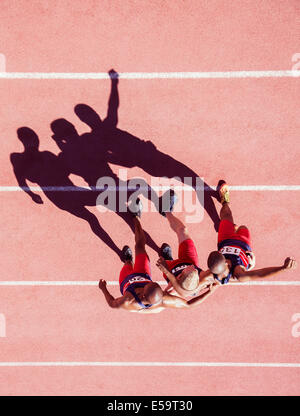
[[116, 283]]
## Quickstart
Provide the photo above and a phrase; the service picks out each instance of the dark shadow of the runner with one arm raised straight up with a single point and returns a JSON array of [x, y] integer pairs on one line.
[[121, 148]]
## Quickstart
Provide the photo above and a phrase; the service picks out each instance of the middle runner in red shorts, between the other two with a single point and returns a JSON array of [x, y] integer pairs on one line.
[[183, 274]]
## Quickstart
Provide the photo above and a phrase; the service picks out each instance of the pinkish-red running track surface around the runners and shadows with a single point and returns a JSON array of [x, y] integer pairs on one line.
[[245, 130]]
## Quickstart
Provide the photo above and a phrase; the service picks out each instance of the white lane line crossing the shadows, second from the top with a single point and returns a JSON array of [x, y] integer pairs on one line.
[[155, 188]]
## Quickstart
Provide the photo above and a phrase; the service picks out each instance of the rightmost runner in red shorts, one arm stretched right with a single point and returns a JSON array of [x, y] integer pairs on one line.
[[234, 260]]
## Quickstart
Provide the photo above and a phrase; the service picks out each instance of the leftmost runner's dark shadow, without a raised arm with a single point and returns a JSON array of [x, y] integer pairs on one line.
[[49, 171]]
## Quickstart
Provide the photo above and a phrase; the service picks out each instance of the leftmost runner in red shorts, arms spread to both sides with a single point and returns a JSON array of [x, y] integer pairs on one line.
[[139, 292]]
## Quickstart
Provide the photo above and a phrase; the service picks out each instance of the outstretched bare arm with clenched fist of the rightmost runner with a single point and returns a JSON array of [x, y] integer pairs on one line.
[[246, 275]]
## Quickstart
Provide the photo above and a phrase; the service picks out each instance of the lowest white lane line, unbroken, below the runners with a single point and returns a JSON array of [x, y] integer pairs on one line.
[[141, 364]]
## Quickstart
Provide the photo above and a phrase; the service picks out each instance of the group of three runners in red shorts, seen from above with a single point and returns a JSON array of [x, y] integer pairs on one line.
[[188, 285]]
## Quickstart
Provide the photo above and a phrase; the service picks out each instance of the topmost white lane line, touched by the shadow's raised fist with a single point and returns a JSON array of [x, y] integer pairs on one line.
[[152, 75]]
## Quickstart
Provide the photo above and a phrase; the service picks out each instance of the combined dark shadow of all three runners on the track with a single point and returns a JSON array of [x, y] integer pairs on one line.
[[88, 156]]
